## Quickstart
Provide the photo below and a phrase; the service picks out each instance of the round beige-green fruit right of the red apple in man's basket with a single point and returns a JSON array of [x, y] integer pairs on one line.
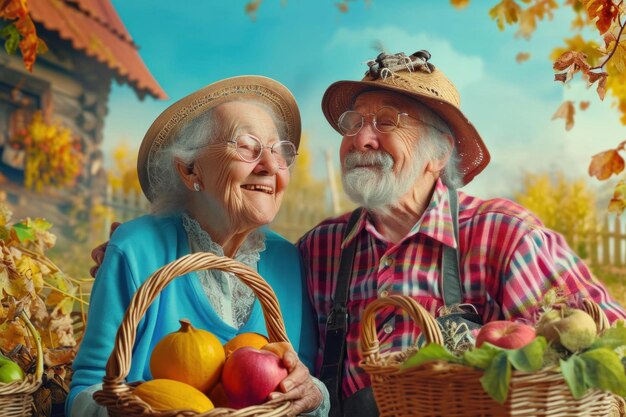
[[571, 328]]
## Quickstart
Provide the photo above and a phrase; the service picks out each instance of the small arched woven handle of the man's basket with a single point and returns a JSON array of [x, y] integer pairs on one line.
[[369, 345]]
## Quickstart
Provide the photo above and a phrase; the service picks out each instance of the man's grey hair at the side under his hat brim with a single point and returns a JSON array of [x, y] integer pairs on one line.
[[435, 147]]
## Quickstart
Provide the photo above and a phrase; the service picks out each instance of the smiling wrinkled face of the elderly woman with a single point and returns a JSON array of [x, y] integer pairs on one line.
[[247, 193]]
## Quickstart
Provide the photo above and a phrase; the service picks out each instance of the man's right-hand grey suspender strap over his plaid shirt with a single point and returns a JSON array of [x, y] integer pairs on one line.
[[451, 290]]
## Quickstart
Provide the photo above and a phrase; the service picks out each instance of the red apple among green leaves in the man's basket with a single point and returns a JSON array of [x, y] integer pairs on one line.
[[506, 334]]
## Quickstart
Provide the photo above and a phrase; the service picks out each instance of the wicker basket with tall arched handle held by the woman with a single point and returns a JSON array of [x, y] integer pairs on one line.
[[118, 396]]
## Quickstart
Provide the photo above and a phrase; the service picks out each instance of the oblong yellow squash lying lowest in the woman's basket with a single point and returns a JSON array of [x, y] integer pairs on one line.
[[167, 394]]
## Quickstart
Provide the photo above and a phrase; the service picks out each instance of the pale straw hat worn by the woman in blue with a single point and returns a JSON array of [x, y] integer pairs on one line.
[[273, 93]]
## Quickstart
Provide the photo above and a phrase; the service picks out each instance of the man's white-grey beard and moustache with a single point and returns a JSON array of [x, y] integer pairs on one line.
[[369, 180]]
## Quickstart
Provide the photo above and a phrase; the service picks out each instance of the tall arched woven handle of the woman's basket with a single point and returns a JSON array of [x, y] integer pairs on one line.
[[119, 362]]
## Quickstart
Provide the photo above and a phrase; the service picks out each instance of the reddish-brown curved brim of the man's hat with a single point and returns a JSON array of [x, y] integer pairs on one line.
[[473, 153]]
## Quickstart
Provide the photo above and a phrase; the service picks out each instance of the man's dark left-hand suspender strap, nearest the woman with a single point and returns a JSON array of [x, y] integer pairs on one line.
[[337, 324]]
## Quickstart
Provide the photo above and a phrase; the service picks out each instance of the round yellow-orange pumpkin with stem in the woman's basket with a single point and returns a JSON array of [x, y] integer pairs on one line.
[[189, 355]]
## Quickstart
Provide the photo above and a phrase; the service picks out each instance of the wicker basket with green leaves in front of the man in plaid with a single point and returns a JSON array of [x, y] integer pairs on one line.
[[437, 389]]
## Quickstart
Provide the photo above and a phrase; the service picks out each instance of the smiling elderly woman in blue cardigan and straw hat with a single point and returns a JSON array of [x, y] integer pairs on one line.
[[215, 166]]
